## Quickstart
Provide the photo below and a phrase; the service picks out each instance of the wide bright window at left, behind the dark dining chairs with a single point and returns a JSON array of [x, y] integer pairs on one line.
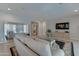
[[15, 28]]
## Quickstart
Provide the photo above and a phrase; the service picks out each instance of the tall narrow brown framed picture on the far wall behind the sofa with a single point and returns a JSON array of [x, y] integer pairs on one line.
[[34, 29]]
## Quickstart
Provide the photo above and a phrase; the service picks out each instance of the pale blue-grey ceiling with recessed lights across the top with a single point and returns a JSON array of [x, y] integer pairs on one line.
[[34, 11]]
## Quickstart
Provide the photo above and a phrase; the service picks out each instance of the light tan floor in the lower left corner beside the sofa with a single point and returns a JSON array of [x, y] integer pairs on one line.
[[5, 48]]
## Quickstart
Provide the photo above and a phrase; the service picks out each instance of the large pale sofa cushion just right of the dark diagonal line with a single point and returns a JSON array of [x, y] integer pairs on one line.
[[42, 48]]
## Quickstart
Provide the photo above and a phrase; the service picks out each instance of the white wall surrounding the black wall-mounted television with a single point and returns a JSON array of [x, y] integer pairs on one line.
[[74, 26]]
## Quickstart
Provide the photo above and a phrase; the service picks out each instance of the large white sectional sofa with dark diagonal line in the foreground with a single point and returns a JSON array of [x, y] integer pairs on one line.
[[38, 47]]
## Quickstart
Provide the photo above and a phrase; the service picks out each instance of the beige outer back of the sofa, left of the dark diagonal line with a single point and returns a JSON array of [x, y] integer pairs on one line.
[[22, 49]]
